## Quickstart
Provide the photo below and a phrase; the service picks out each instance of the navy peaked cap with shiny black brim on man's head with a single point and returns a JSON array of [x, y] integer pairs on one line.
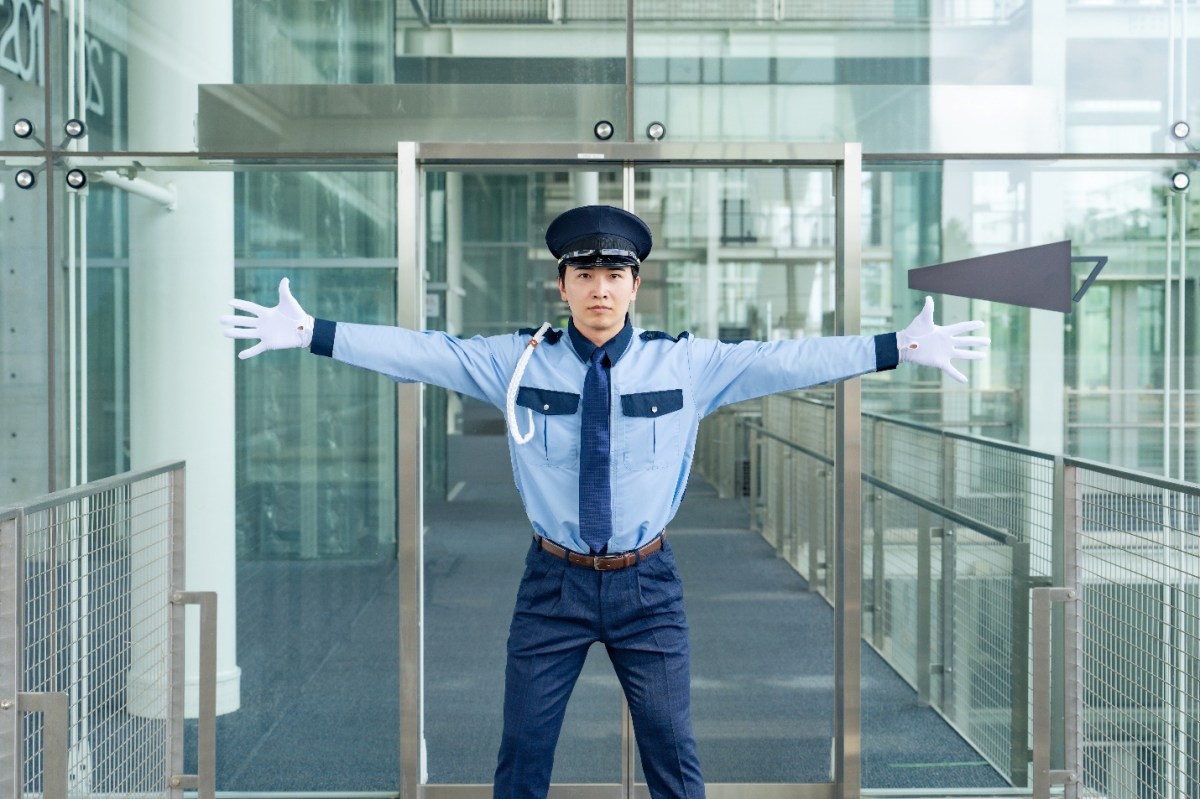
[[601, 236]]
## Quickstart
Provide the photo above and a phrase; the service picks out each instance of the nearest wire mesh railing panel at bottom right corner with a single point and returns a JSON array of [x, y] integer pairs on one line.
[[1139, 578]]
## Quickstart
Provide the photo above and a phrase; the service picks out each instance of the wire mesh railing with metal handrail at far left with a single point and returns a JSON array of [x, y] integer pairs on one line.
[[63, 528]]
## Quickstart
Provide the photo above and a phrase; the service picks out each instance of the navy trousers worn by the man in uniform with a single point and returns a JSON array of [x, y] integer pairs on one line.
[[638, 615]]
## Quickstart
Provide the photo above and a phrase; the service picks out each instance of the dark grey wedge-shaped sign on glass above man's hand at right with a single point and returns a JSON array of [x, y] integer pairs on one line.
[[1034, 278]]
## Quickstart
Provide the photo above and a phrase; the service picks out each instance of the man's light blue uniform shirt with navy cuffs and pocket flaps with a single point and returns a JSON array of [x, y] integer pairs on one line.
[[662, 387]]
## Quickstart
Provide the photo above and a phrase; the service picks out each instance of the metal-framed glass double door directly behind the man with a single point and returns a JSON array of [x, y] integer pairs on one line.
[[745, 249]]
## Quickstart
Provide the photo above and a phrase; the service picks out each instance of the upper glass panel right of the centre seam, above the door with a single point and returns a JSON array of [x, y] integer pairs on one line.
[[915, 77]]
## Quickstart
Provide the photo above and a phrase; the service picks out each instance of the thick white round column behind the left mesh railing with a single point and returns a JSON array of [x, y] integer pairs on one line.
[[182, 369]]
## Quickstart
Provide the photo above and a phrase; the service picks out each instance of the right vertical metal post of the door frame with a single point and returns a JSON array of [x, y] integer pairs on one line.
[[848, 504]]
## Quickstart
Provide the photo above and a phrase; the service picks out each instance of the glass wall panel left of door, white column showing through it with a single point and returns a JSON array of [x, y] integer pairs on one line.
[[309, 575]]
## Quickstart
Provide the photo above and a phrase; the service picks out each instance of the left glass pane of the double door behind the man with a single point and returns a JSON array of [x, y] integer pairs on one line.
[[490, 274]]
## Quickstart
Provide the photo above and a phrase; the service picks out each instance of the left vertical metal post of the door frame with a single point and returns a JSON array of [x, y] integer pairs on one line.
[[410, 510]]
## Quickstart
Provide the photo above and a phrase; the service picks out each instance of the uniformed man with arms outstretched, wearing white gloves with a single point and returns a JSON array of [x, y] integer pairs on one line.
[[602, 465]]
